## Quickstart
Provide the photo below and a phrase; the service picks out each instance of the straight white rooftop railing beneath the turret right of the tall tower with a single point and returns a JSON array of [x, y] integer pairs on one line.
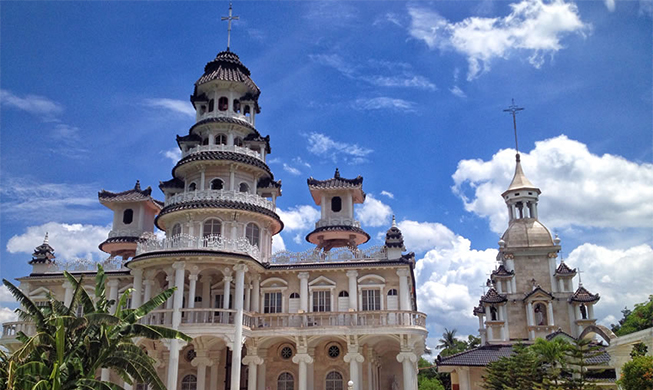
[[334, 255]]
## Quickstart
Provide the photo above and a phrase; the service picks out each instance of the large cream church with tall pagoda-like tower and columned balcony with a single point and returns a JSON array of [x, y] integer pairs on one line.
[[259, 321]]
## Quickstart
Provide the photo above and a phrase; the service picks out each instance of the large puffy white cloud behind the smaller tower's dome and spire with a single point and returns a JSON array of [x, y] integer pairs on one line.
[[581, 189]]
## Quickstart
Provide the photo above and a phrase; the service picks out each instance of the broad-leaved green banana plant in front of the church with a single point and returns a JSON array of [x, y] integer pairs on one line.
[[67, 350]]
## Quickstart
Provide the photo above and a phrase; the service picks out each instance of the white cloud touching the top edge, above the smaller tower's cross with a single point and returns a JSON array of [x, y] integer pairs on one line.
[[533, 26]]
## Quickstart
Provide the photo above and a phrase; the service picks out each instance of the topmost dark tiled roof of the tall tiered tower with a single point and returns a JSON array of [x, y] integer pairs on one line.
[[227, 67]]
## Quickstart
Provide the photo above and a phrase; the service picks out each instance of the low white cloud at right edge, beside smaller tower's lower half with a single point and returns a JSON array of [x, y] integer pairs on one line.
[[621, 276]]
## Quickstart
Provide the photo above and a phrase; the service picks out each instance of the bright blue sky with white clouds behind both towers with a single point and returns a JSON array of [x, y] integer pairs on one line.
[[408, 95]]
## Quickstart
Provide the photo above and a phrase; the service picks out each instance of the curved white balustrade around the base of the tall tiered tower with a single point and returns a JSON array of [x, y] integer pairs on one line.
[[212, 242]]
